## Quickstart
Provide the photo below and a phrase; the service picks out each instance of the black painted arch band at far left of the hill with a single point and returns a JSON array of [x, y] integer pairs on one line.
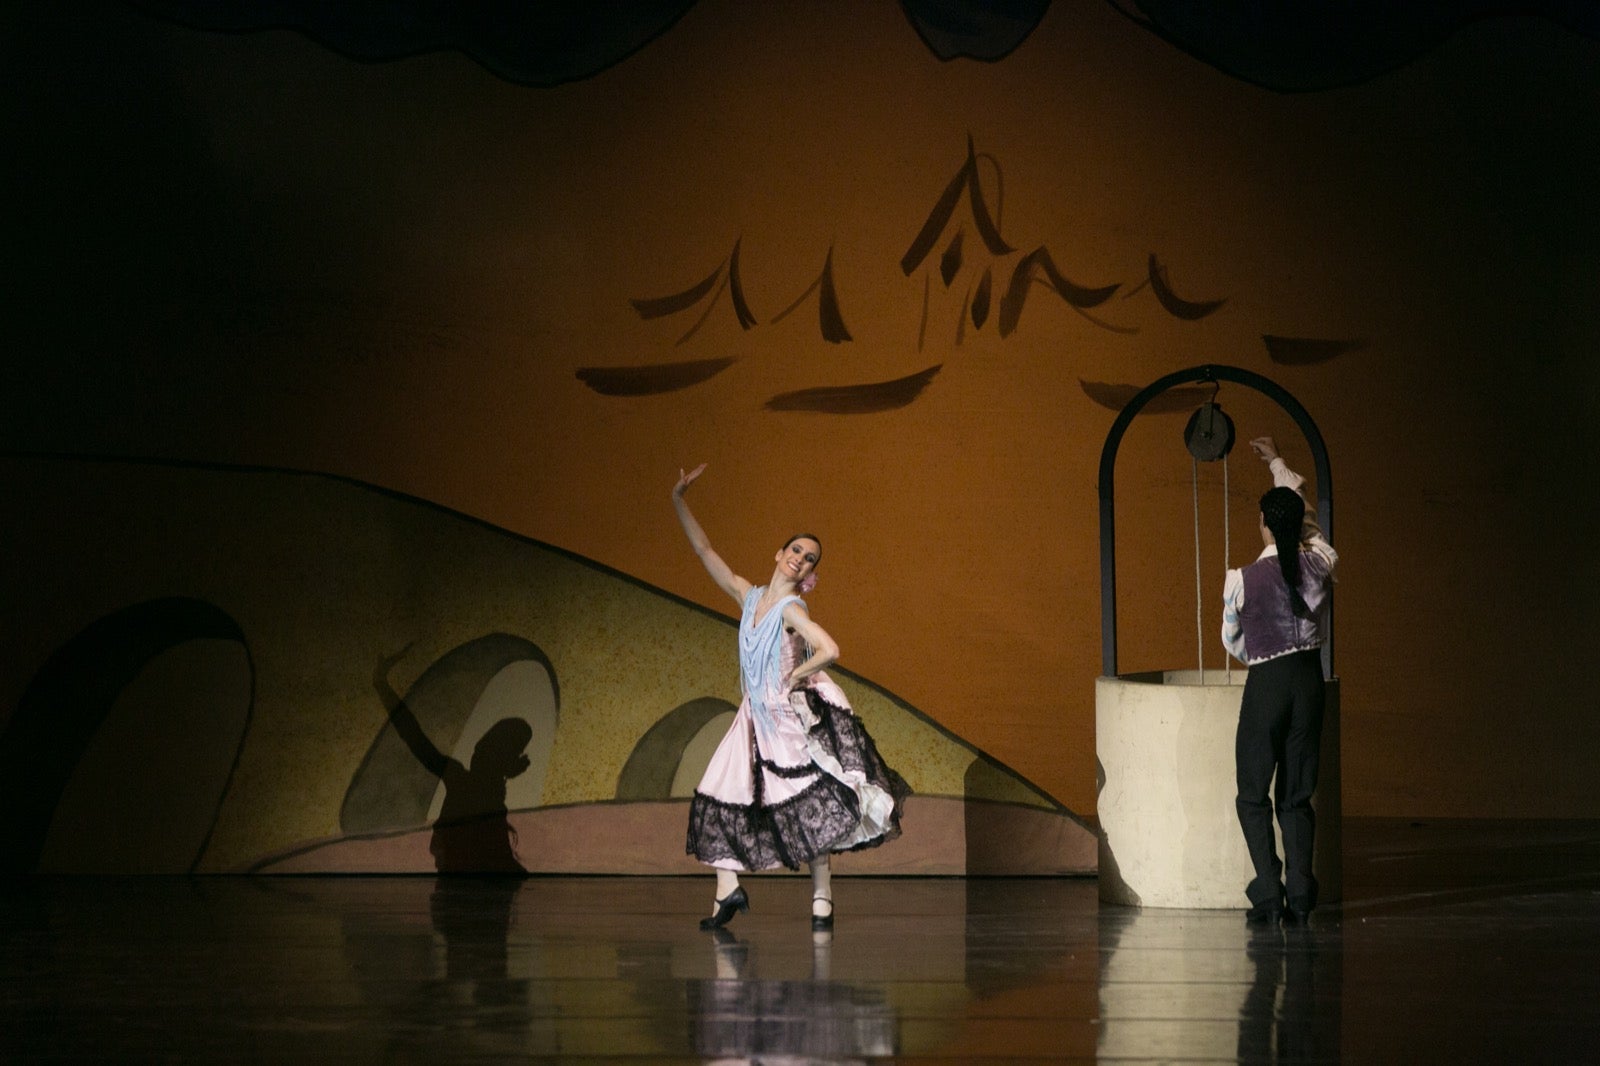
[[68, 700]]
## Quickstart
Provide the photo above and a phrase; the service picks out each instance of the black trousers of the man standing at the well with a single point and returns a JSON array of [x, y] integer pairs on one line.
[[1278, 747]]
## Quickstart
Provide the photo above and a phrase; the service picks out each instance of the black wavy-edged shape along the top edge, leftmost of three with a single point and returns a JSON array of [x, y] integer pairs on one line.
[[548, 42]]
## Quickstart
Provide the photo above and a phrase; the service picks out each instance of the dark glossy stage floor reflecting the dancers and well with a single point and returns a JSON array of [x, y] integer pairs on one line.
[[1457, 944]]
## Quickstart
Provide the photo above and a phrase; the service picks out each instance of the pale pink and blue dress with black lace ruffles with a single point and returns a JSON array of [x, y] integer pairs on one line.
[[798, 775]]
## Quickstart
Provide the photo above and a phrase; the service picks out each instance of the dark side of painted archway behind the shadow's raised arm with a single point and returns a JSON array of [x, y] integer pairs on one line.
[[394, 788]]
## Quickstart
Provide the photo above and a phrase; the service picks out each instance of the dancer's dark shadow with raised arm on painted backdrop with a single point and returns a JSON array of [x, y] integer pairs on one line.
[[473, 833]]
